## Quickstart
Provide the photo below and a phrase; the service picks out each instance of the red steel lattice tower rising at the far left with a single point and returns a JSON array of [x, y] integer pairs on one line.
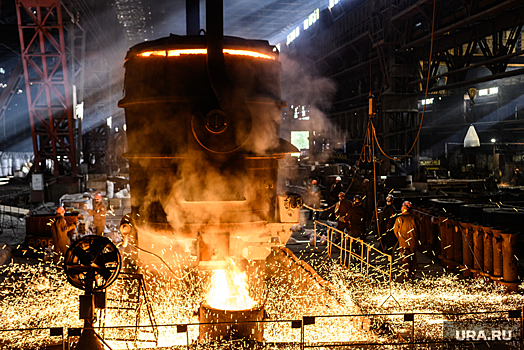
[[46, 79]]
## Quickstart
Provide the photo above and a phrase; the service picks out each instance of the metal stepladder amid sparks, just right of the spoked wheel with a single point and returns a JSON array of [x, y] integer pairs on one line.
[[130, 307]]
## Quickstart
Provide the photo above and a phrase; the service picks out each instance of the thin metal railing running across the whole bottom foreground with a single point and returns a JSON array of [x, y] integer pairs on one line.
[[416, 330]]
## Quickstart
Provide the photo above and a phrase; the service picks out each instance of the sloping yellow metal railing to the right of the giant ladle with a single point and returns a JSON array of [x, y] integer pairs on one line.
[[357, 254]]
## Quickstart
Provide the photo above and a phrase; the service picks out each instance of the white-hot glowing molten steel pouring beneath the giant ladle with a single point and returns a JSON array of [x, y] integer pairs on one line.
[[228, 291]]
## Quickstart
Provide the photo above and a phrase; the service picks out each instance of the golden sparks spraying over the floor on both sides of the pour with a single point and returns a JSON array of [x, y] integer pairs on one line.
[[38, 295]]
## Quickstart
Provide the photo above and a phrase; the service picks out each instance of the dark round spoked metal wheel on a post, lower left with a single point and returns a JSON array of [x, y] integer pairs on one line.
[[92, 258]]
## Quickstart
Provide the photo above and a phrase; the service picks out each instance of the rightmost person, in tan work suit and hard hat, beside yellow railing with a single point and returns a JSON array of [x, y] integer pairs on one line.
[[407, 229]]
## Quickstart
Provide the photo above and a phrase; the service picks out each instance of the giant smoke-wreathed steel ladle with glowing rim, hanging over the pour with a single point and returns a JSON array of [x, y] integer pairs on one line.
[[203, 122]]
